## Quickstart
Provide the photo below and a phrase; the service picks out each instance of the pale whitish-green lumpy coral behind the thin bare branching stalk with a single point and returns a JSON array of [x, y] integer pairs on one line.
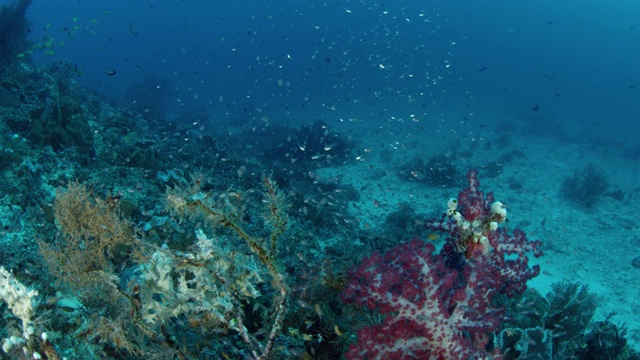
[[174, 283]]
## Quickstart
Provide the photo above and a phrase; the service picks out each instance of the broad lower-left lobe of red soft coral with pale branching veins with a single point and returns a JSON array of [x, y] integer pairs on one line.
[[412, 285]]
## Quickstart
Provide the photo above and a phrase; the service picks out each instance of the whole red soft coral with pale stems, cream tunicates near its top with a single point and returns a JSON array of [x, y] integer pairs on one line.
[[439, 306]]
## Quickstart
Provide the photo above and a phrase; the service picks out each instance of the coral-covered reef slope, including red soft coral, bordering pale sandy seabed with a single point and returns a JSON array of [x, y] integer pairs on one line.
[[126, 235]]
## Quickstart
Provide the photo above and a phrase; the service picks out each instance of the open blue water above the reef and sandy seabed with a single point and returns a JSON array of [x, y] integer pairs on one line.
[[497, 60]]
